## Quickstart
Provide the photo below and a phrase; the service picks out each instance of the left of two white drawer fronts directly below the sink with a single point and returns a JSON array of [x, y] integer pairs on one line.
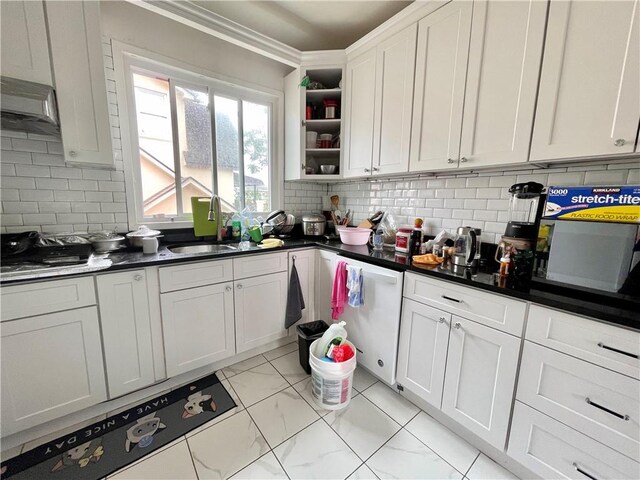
[[190, 275]]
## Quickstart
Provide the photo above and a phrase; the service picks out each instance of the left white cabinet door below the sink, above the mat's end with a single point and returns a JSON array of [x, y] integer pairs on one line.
[[197, 327]]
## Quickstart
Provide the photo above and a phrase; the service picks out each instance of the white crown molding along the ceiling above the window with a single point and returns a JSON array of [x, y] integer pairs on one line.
[[215, 25]]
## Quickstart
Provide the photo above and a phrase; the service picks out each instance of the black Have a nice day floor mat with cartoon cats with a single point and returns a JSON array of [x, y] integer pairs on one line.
[[104, 447]]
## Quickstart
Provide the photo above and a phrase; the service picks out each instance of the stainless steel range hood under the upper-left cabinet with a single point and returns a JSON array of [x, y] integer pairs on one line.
[[28, 107]]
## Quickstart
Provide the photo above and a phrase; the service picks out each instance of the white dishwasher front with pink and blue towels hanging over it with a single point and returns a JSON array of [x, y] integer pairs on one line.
[[374, 327]]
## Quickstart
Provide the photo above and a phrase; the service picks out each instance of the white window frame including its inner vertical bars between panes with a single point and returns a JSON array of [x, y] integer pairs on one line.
[[128, 59]]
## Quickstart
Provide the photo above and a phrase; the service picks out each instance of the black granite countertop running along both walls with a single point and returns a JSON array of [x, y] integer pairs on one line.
[[624, 312]]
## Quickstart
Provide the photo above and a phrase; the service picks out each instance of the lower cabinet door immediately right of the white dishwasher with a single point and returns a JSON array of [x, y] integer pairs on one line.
[[422, 350]]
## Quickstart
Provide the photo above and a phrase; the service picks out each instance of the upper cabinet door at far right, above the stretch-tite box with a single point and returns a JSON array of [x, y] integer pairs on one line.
[[589, 99]]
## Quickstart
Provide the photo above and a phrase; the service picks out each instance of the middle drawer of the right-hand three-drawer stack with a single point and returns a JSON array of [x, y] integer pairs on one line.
[[559, 385]]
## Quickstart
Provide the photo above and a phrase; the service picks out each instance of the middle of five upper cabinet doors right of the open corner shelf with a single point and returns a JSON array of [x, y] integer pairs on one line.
[[441, 68]]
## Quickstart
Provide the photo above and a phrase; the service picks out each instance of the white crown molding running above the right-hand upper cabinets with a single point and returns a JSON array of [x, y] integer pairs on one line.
[[405, 17]]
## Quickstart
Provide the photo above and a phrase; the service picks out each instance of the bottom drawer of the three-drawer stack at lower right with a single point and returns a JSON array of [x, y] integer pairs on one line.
[[553, 450]]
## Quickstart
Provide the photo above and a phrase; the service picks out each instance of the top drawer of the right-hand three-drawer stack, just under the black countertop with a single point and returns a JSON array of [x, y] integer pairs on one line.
[[605, 345]]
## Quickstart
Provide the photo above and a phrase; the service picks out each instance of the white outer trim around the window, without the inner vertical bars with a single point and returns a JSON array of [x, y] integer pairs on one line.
[[123, 57]]
